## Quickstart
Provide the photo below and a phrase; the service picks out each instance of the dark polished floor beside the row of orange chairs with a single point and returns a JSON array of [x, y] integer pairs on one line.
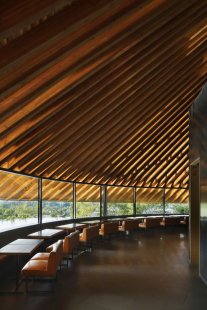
[[141, 271]]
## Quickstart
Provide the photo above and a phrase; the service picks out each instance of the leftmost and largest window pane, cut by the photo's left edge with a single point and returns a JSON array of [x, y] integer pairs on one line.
[[18, 200]]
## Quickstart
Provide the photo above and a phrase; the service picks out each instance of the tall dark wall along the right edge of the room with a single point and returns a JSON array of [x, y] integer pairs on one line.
[[198, 153]]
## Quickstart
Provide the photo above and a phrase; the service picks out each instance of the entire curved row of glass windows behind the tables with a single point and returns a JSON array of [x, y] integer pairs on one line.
[[19, 200]]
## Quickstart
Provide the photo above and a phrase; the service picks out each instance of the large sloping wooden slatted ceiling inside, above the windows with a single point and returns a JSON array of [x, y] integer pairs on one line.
[[99, 91]]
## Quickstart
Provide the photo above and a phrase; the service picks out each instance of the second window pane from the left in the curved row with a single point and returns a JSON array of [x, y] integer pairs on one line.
[[57, 200]]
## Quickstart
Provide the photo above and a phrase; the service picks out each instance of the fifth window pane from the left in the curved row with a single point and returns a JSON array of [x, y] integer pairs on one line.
[[149, 201]]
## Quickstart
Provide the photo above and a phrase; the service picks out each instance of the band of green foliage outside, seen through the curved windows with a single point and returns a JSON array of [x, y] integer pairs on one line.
[[11, 210]]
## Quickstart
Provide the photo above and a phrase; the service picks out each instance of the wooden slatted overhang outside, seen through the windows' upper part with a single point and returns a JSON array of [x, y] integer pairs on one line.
[[19, 187]]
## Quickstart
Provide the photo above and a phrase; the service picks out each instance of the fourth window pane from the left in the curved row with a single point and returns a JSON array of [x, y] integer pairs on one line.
[[119, 200]]
